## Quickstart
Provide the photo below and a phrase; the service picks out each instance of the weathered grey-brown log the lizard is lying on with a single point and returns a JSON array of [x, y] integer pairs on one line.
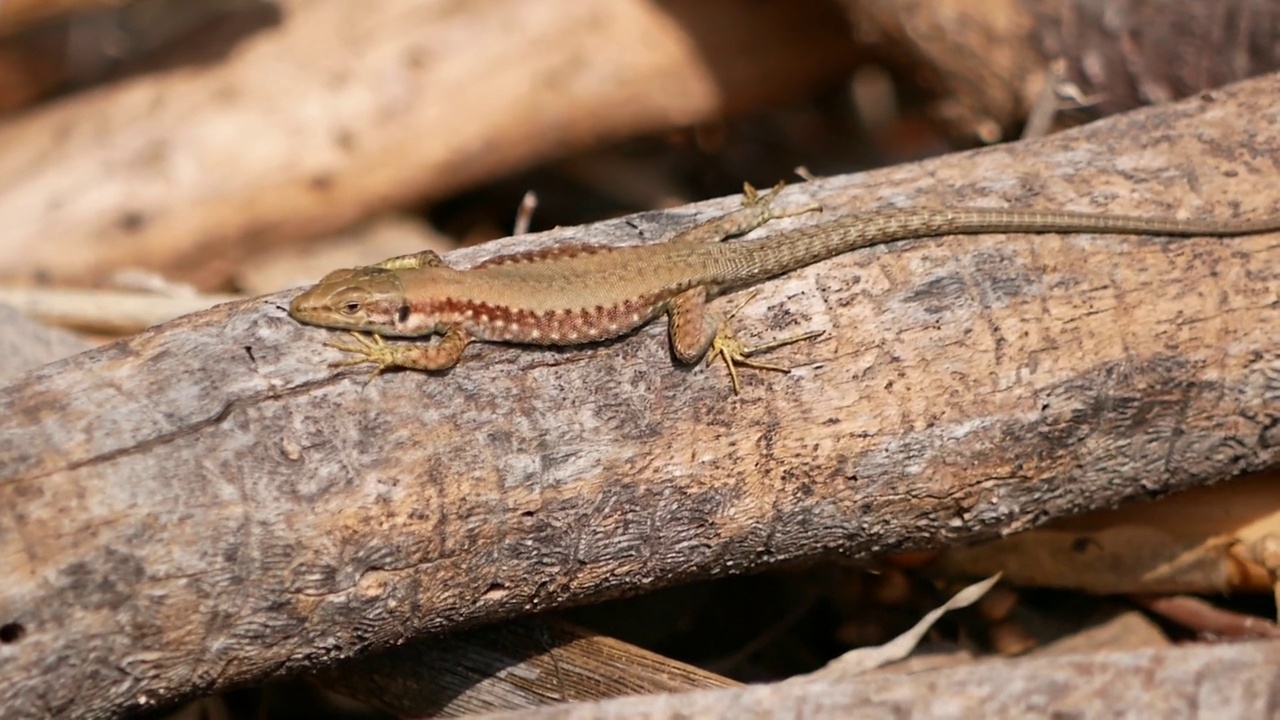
[[209, 503]]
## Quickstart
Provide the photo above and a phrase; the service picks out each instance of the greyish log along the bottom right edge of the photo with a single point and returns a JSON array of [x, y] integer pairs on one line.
[[1227, 681]]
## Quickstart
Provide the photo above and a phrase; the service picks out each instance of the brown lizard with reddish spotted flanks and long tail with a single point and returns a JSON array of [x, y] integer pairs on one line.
[[578, 294]]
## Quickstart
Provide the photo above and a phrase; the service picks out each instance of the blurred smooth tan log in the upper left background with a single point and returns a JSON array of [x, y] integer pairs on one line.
[[348, 108]]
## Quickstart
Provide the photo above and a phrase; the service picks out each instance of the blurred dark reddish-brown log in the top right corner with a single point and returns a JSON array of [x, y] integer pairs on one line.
[[989, 61]]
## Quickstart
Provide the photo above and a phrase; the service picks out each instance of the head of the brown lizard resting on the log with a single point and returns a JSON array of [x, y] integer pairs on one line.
[[360, 299]]
